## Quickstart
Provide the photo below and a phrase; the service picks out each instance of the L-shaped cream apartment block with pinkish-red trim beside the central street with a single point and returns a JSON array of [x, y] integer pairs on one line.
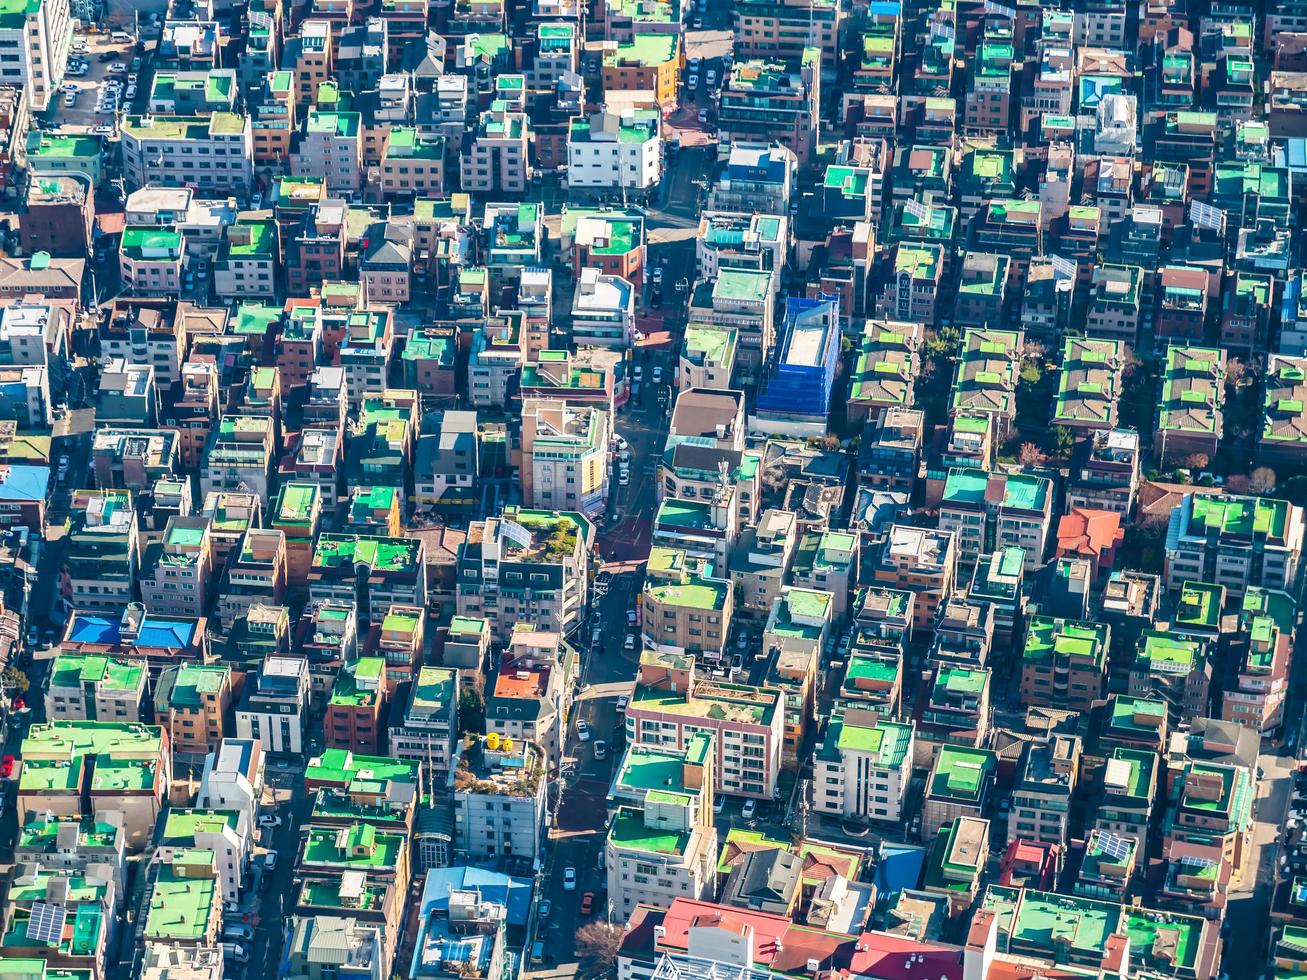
[[671, 705]]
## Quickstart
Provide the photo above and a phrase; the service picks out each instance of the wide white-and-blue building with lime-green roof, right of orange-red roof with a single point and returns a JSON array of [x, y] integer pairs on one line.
[[1234, 542]]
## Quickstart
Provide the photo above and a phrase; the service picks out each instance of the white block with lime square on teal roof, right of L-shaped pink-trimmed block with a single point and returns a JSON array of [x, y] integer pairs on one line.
[[863, 766]]
